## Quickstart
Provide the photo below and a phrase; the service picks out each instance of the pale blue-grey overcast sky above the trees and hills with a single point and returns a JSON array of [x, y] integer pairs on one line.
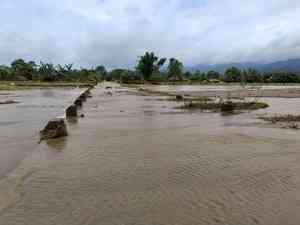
[[115, 32]]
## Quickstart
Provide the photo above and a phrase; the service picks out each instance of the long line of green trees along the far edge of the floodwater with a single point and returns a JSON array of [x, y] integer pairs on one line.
[[149, 68]]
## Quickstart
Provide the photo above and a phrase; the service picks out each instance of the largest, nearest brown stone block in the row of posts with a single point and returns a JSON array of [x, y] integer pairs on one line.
[[54, 129]]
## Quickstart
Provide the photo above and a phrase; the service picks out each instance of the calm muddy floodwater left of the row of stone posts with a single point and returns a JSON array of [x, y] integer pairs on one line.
[[20, 123]]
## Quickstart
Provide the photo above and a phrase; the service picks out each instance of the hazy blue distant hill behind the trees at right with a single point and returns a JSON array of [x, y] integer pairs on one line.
[[291, 65]]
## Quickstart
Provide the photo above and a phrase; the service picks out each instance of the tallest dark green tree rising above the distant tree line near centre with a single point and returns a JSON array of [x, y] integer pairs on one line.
[[148, 64]]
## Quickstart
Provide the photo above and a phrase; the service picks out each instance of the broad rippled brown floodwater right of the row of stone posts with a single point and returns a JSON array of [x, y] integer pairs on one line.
[[136, 160]]
